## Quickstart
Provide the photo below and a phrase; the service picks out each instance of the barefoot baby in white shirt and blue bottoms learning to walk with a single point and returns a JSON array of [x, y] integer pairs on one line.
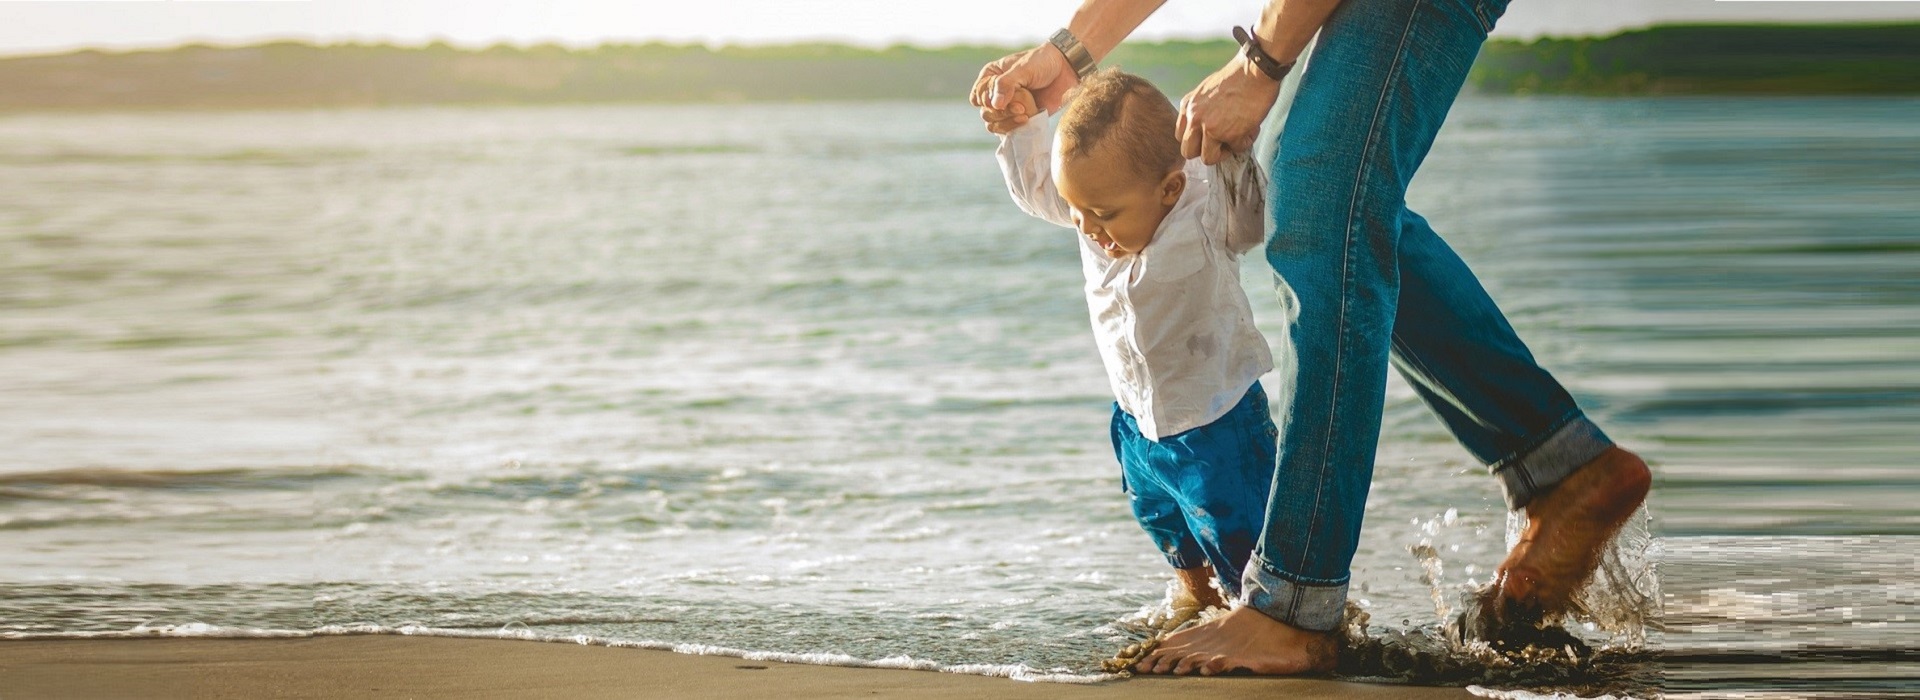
[[1161, 246]]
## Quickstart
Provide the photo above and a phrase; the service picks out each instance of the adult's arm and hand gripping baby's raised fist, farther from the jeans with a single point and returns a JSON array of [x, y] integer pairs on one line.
[[1045, 72]]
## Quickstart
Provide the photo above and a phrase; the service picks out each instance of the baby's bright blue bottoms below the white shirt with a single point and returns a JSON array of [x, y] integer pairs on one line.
[[1203, 494]]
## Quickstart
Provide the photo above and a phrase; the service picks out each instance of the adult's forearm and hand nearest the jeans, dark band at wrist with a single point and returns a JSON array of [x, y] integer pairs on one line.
[[1228, 108]]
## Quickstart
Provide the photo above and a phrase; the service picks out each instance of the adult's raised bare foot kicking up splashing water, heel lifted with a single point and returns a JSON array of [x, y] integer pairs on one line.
[[1566, 532]]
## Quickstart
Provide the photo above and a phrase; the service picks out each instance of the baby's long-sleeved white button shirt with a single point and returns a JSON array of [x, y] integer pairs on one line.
[[1172, 323]]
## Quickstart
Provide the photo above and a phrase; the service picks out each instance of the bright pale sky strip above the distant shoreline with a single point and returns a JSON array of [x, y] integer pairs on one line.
[[51, 26]]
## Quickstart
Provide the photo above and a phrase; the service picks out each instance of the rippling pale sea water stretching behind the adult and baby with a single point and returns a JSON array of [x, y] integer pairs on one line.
[[802, 383]]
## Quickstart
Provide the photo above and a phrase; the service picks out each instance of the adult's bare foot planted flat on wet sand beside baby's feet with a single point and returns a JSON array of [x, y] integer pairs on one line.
[[1243, 640]]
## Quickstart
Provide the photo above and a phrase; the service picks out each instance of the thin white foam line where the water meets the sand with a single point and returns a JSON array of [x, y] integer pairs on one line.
[[1017, 672]]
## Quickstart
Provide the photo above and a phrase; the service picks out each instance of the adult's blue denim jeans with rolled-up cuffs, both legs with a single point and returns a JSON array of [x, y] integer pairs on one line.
[[1374, 285]]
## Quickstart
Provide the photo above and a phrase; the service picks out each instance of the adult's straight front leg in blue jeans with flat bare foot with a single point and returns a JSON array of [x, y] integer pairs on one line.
[[1378, 89]]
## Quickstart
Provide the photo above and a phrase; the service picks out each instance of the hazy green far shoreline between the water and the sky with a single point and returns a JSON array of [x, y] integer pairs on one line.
[[1664, 60]]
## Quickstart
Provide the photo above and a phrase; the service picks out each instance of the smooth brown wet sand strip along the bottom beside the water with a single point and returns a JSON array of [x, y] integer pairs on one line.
[[389, 666]]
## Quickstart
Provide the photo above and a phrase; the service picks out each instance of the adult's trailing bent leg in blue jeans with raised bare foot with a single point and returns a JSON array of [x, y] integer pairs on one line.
[[1466, 362]]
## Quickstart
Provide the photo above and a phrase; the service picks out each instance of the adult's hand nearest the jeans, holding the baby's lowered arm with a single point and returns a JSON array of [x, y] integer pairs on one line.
[[1224, 114]]
